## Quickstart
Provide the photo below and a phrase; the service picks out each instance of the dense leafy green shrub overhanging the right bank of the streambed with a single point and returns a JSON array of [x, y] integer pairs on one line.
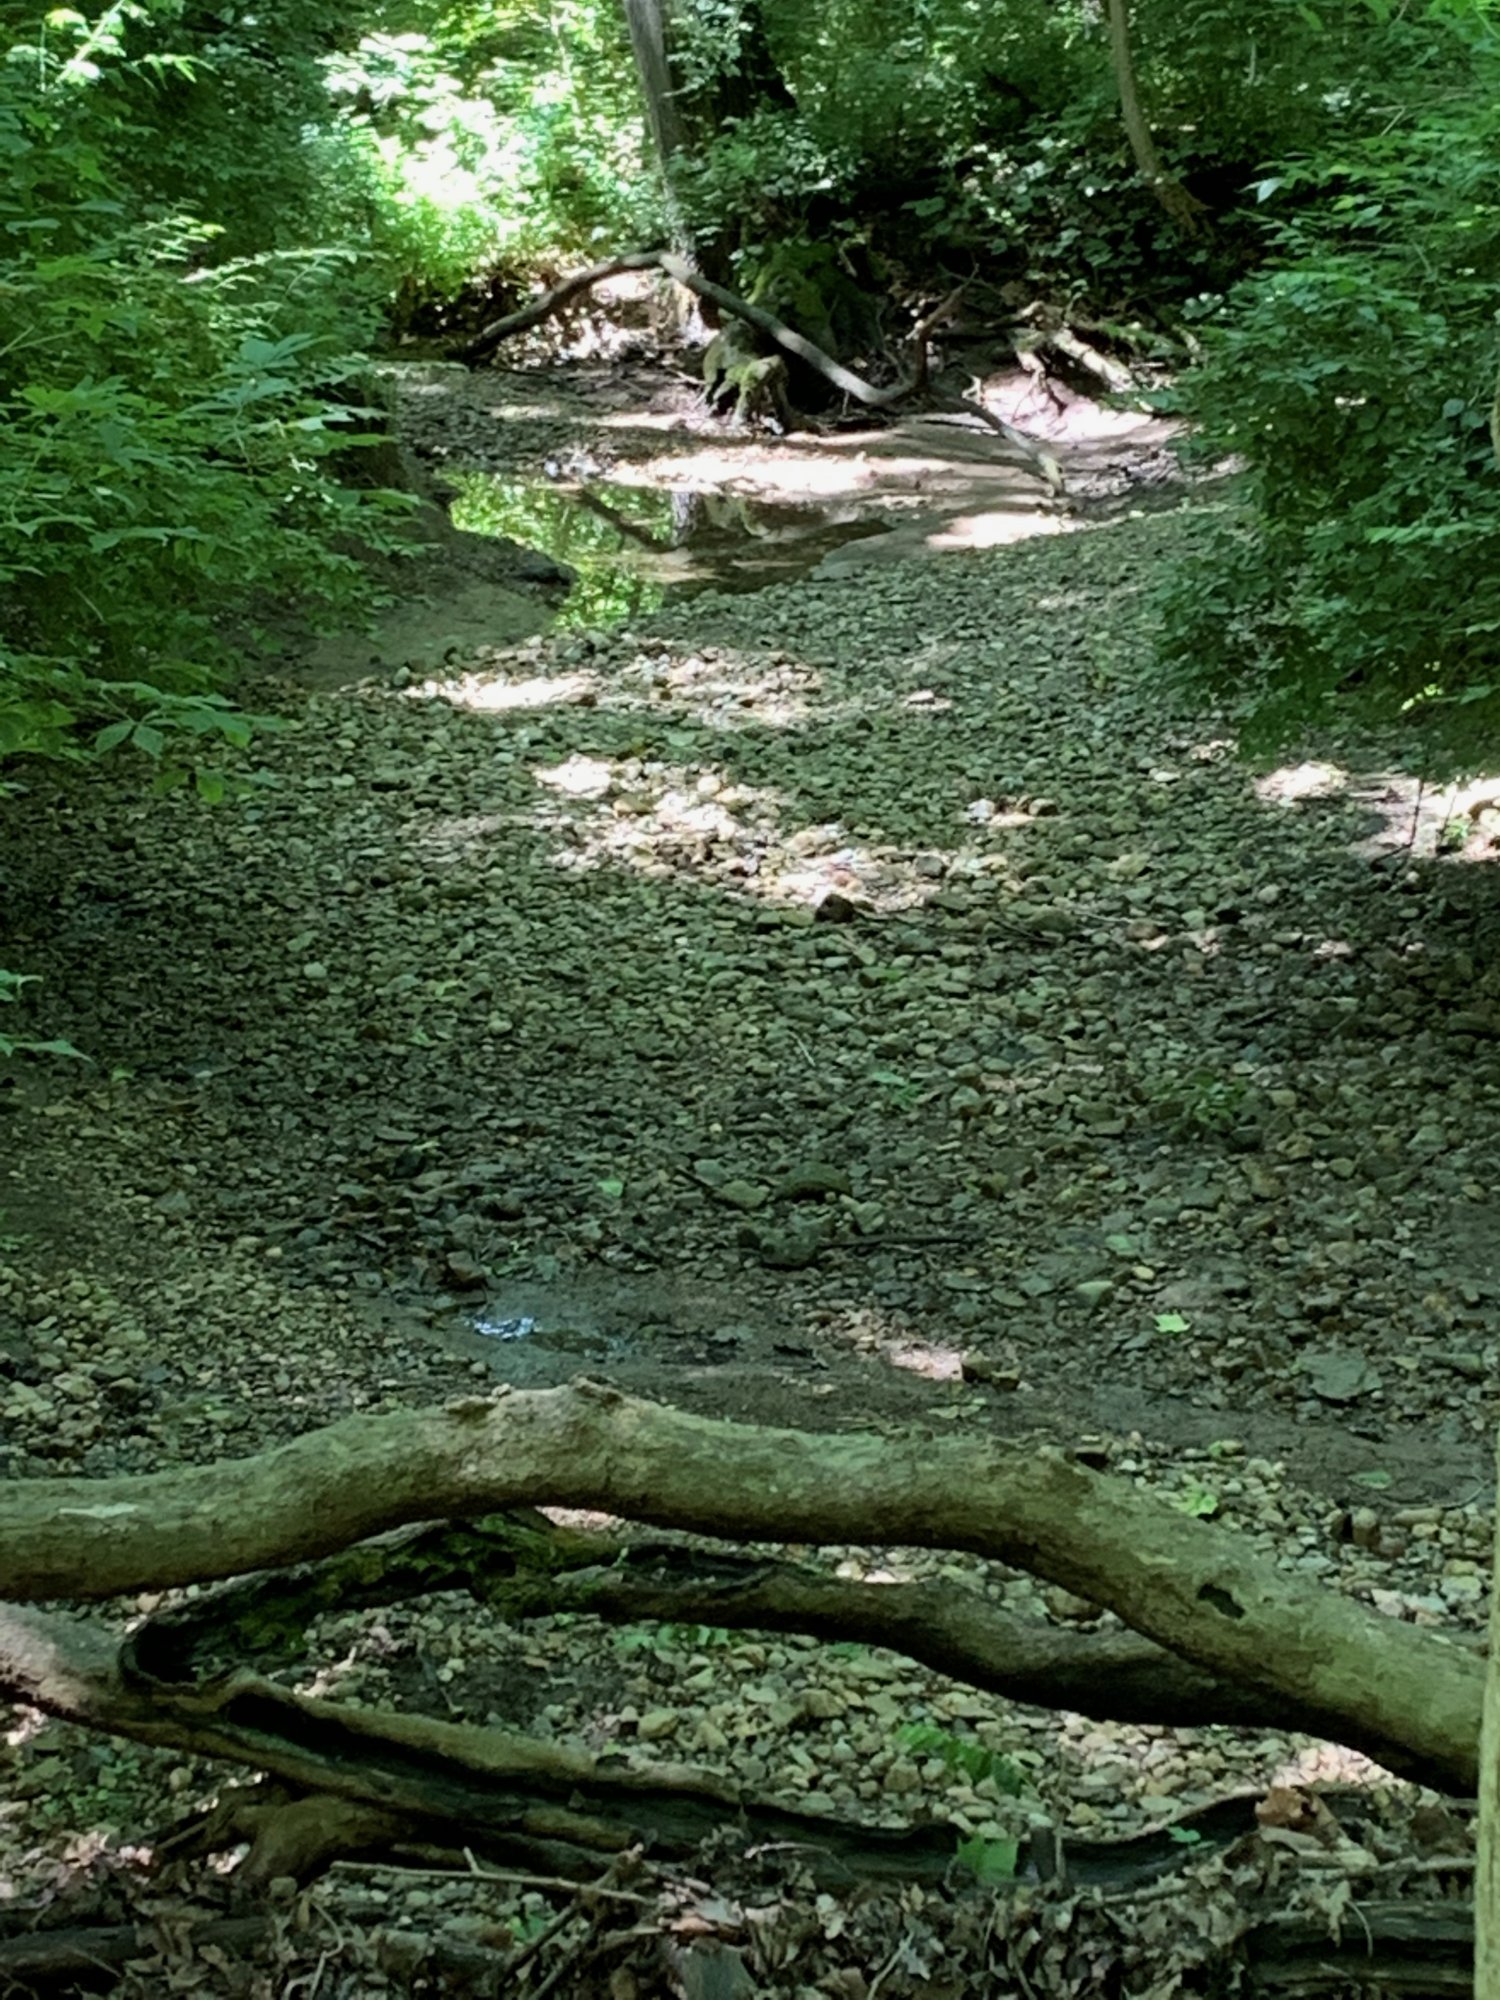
[[1359, 585]]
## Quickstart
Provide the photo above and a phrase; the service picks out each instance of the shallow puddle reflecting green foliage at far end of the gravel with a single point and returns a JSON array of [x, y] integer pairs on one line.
[[635, 547]]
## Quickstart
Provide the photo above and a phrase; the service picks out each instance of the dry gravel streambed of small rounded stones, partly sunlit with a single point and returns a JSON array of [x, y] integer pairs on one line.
[[871, 1001]]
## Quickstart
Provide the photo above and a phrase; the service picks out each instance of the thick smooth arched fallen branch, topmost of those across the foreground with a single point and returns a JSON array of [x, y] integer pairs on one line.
[[1403, 1695]]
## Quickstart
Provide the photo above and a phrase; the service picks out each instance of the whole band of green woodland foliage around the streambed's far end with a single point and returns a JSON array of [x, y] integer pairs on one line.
[[213, 215]]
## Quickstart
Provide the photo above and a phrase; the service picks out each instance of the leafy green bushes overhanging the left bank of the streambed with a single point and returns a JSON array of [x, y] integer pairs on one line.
[[171, 423]]
